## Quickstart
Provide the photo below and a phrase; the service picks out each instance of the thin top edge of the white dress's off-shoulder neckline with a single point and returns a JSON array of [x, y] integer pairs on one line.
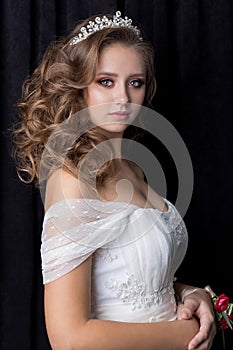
[[118, 203]]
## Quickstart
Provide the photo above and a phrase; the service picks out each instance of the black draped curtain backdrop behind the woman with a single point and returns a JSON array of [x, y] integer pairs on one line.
[[193, 41]]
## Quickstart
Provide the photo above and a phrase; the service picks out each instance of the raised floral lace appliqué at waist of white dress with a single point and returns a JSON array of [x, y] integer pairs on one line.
[[133, 292]]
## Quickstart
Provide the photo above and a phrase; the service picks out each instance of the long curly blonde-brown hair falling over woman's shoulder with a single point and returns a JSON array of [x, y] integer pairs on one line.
[[55, 91]]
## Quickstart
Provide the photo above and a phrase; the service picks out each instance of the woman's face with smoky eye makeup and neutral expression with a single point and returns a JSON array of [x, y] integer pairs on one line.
[[118, 90]]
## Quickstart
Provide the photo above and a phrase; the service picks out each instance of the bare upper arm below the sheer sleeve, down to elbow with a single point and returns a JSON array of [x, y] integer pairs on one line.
[[67, 304]]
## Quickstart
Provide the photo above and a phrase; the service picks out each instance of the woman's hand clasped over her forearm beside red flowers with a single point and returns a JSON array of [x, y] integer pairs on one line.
[[199, 304]]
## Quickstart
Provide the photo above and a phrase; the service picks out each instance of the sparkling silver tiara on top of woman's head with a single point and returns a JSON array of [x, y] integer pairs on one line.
[[103, 22]]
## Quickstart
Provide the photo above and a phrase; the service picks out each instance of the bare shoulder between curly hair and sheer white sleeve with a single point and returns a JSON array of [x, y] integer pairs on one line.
[[61, 185]]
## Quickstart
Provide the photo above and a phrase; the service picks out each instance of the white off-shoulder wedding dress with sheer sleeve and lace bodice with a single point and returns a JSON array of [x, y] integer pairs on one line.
[[136, 252]]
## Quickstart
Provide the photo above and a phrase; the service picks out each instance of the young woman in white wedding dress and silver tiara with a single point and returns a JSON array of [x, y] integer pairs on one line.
[[110, 244]]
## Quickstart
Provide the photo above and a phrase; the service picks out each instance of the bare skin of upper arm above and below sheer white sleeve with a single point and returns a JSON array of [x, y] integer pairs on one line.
[[67, 298]]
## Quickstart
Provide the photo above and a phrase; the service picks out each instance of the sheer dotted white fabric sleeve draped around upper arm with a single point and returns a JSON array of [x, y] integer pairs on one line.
[[73, 230]]
